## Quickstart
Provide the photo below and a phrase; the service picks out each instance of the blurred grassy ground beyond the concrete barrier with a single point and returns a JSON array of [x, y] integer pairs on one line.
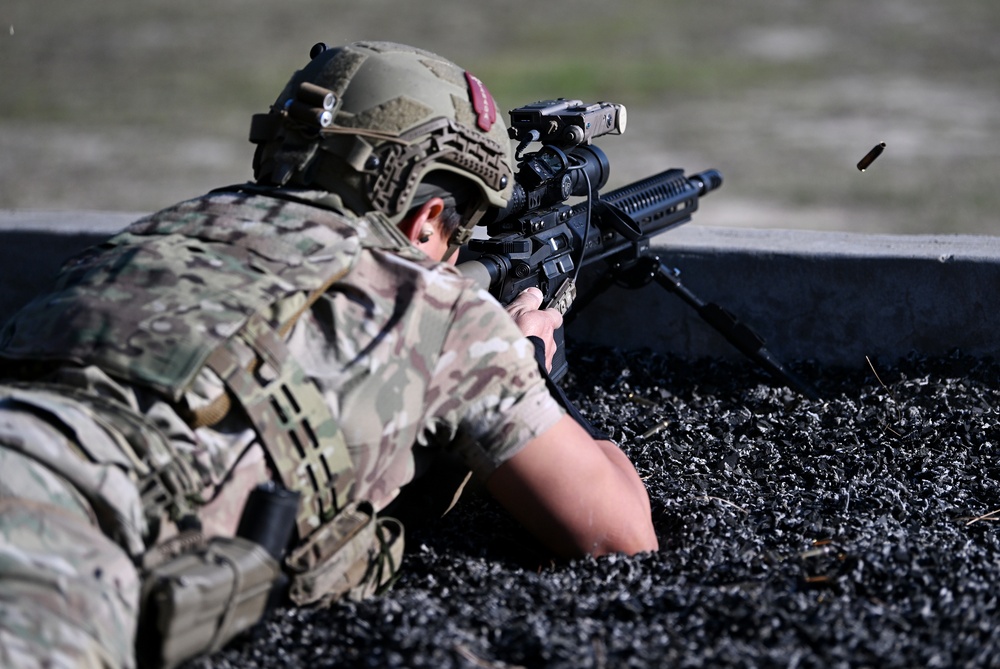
[[125, 105]]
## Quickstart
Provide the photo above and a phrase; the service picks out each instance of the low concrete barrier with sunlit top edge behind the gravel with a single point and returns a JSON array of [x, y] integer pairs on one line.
[[830, 297]]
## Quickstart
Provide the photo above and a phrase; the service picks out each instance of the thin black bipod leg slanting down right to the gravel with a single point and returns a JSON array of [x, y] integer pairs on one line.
[[746, 341]]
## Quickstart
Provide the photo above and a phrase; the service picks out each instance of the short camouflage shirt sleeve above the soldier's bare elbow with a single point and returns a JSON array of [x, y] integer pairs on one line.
[[488, 397]]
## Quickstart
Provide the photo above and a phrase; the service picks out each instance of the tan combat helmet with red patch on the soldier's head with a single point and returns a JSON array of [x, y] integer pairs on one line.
[[369, 120]]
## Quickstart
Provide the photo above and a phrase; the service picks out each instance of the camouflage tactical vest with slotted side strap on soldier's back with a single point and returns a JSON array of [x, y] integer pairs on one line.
[[218, 282]]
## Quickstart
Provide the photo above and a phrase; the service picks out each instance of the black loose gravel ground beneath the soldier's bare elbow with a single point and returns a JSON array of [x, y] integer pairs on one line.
[[855, 531]]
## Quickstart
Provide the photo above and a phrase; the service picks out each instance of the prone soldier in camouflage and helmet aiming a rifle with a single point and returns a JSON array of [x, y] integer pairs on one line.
[[277, 365]]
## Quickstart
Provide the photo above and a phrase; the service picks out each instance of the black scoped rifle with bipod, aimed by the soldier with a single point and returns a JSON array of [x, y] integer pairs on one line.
[[539, 240]]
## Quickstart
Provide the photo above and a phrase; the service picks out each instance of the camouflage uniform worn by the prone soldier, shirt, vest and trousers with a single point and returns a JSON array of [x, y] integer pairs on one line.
[[124, 429]]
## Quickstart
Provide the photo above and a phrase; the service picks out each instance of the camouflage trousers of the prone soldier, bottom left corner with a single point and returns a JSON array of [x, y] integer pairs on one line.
[[69, 595]]
